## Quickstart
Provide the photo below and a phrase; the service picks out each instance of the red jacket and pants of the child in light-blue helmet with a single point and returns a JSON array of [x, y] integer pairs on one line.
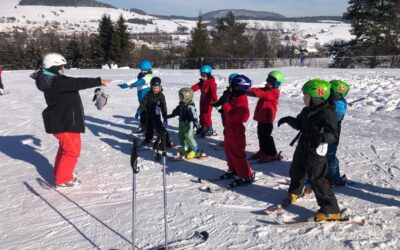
[[208, 96]]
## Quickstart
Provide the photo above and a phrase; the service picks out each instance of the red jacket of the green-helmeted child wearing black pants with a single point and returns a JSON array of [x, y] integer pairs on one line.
[[267, 104]]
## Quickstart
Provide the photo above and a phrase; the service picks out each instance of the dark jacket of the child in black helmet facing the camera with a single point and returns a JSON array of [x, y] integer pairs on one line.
[[154, 105]]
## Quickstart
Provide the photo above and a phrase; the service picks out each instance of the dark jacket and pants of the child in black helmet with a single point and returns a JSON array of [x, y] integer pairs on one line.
[[154, 105]]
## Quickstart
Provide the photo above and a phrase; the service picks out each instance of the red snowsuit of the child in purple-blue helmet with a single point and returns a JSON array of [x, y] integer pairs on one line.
[[236, 113]]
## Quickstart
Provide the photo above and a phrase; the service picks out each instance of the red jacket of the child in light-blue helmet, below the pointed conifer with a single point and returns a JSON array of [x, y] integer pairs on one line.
[[208, 94]]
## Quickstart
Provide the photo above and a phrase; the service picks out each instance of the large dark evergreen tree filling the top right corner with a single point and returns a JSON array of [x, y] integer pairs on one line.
[[375, 25]]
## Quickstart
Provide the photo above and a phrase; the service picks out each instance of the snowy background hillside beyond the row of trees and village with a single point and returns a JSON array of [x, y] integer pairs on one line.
[[85, 19]]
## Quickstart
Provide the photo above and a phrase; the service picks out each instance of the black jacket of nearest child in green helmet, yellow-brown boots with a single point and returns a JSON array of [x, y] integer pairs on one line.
[[318, 125]]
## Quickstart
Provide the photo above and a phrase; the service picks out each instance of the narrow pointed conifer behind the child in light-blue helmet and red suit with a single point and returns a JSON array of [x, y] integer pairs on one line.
[[200, 45]]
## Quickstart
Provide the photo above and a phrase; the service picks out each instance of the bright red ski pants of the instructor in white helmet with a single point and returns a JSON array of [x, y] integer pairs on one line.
[[67, 156]]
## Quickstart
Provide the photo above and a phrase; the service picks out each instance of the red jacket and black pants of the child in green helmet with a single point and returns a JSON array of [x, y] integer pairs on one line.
[[264, 114]]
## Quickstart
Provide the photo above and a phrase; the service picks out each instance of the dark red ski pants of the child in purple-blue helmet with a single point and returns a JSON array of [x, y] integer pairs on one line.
[[235, 151]]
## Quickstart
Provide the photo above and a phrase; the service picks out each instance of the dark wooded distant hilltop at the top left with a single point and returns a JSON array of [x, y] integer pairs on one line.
[[67, 3]]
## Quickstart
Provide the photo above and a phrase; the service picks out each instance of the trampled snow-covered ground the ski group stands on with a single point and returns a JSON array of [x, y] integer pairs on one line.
[[97, 214]]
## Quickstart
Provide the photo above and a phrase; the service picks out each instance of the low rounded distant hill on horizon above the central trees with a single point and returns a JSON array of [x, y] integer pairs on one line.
[[243, 14]]
